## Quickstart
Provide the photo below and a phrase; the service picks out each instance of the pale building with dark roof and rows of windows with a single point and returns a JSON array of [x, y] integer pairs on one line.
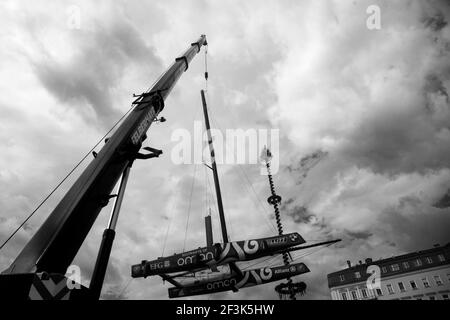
[[423, 275]]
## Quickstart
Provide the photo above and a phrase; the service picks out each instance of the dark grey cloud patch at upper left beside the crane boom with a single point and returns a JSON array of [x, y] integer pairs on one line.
[[87, 82]]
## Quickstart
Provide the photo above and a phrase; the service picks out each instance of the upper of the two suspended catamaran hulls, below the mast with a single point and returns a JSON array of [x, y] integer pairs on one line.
[[217, 255]]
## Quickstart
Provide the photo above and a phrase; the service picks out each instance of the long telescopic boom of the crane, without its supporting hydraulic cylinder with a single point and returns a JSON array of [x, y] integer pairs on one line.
[[54, 246]]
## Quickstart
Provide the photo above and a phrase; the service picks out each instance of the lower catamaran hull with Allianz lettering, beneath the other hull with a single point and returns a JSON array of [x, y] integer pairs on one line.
[[234, 282]]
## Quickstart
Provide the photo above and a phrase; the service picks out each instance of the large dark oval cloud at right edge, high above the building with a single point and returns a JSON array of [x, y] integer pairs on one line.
[[401, 142]]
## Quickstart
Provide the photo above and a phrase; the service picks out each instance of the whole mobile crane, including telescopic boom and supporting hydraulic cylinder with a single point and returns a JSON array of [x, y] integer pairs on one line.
[[55, 244]]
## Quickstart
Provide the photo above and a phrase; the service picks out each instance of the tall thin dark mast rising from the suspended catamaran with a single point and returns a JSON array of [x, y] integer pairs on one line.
[[214, 169]]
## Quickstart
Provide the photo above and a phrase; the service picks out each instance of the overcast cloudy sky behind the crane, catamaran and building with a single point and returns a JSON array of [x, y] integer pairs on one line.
[[363, 116]]
